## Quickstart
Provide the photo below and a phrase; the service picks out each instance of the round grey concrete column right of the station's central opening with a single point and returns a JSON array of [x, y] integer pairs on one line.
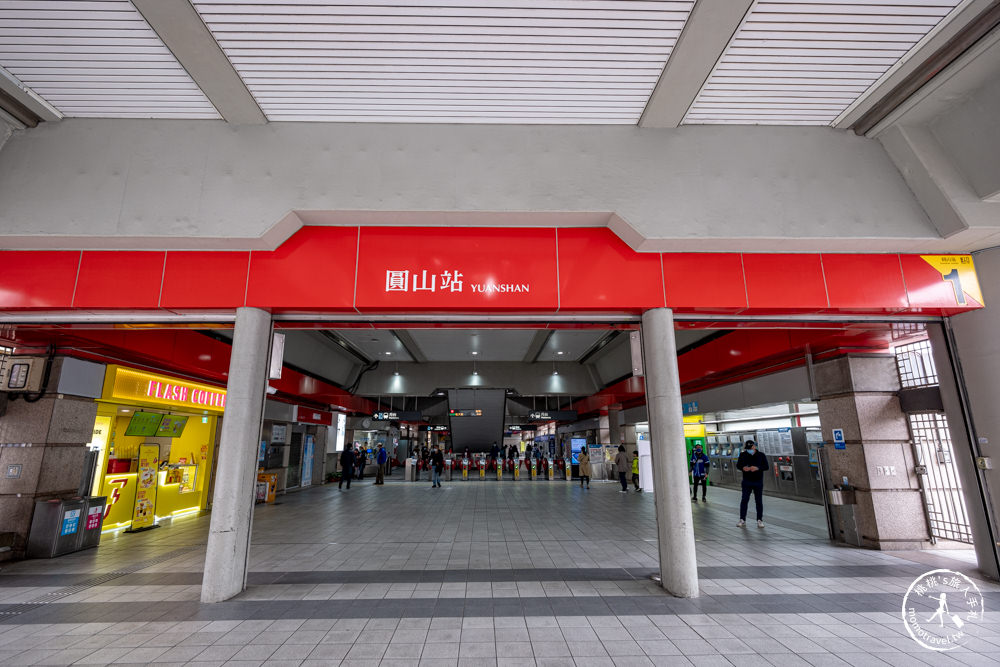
[[674, 527]]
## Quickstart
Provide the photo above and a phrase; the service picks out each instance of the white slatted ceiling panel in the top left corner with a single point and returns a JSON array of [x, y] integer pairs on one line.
[[98, 59]]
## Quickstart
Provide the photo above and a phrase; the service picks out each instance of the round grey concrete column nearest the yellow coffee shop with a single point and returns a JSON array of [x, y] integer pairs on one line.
[[232, 508]]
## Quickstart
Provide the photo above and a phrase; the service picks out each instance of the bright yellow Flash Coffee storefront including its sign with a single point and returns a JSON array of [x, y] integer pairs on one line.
[[155, 435]]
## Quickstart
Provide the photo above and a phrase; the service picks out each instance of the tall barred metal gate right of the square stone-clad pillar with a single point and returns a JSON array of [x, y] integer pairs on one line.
[[946, 511]]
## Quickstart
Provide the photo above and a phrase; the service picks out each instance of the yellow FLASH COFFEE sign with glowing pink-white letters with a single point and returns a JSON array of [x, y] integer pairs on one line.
[[128, 385]]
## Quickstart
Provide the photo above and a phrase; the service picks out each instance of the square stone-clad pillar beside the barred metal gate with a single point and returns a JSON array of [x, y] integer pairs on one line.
[[859, 394]]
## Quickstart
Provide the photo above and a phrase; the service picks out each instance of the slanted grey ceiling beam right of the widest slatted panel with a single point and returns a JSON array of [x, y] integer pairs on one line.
[[703, 40]]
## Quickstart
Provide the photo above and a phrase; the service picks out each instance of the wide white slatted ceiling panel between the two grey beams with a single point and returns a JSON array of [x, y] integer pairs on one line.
[[484, 61]]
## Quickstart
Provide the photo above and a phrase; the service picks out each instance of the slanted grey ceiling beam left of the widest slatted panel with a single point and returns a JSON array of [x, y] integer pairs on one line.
[[181, 28]]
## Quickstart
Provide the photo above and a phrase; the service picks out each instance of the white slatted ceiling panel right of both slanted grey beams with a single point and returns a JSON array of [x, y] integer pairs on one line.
[[803, 62]]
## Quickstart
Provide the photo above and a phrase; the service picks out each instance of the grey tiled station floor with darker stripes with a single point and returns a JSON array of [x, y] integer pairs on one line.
[[480, 573]]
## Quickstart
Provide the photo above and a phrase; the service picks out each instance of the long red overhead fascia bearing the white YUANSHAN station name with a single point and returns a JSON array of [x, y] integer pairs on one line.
[[574, 270]]
